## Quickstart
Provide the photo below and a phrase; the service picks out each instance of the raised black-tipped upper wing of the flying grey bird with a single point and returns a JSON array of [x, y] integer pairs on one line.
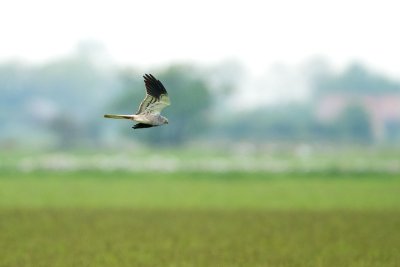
[[156, 96]]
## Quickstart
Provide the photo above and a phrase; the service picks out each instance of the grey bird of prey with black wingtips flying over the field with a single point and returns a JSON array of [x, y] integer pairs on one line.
[[149, 112]]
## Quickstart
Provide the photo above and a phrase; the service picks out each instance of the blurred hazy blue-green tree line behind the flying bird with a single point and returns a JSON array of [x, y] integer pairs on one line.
[[61, 103]]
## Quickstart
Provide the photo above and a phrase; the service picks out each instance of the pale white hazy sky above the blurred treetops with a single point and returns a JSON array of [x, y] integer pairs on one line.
[[257, 33]]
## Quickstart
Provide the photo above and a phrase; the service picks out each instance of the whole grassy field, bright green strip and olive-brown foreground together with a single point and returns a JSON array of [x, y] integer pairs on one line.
[[96, 218]]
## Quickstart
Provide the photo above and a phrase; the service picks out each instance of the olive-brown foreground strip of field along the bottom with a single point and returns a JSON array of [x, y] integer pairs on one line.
[[126, 237]]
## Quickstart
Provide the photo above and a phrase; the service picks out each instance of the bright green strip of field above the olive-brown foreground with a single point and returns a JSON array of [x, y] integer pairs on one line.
[[201, 190]]
